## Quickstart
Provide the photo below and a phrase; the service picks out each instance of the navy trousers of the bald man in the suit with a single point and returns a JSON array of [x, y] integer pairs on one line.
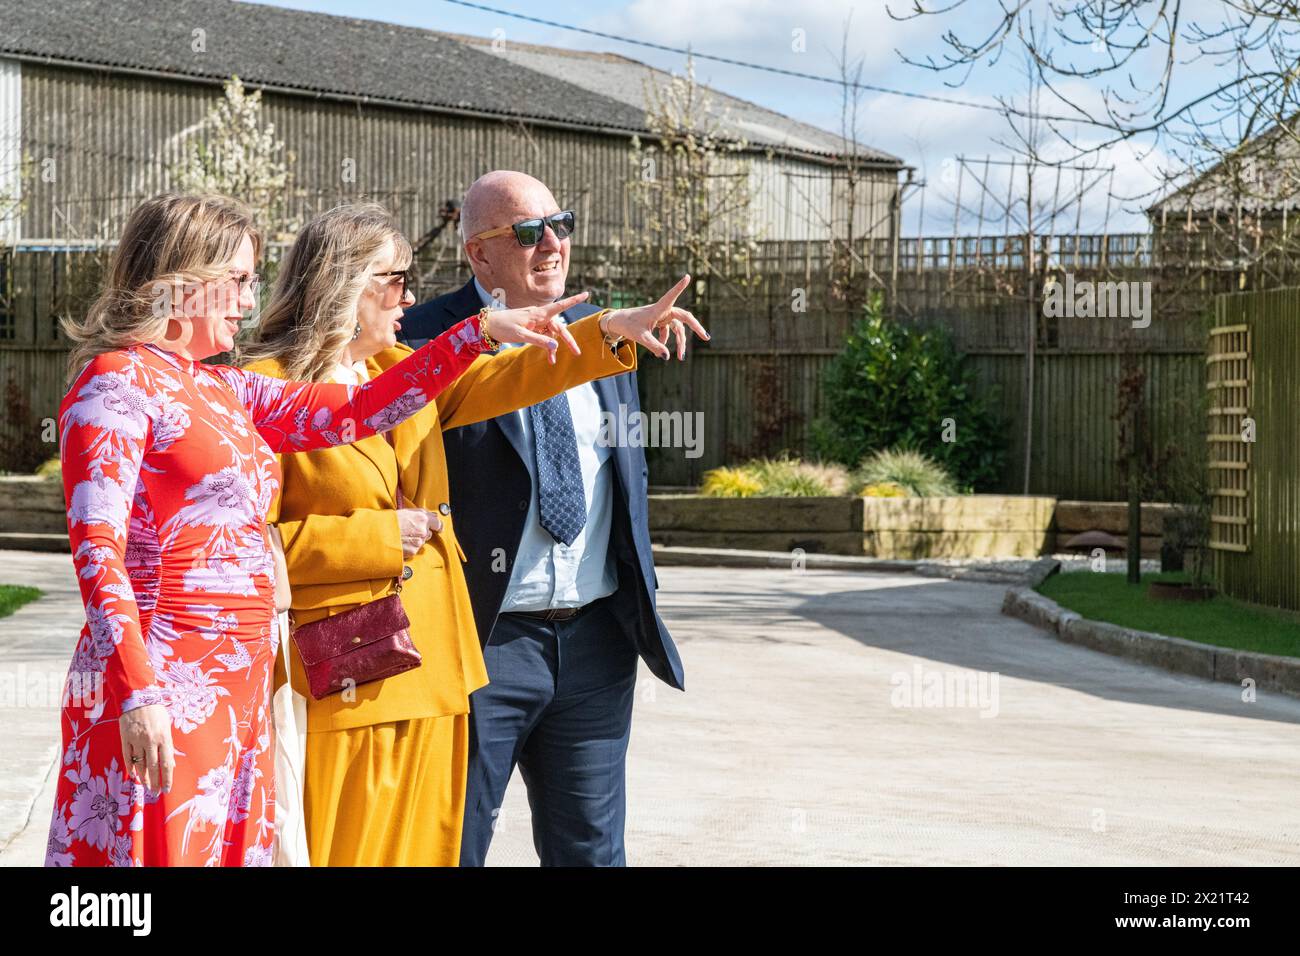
[[560, 706]]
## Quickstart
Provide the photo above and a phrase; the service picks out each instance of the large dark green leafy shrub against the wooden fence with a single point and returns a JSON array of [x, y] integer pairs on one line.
[[894, 387]]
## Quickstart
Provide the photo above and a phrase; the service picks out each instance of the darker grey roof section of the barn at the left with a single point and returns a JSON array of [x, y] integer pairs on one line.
[[297, 50]]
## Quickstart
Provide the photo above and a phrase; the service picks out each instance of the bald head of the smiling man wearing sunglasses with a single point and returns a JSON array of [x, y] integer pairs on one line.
[[522, 276]]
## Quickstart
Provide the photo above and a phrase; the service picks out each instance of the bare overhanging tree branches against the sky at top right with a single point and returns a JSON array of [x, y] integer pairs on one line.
[[1203, 88]]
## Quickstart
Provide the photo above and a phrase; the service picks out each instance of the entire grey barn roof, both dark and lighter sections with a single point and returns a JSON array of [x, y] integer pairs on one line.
[[367, 60]]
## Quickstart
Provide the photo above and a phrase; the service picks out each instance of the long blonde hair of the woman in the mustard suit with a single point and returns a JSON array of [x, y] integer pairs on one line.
[[313, 312]]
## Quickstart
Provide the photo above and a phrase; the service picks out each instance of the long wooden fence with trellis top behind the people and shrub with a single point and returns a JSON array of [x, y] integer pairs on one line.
[[759, 383]]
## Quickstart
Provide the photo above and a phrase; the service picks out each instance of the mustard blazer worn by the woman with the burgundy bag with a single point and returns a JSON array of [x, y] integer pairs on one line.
[[336, 512]]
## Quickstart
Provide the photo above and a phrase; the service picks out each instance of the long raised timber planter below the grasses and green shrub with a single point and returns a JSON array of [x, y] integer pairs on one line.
[[978, 526]]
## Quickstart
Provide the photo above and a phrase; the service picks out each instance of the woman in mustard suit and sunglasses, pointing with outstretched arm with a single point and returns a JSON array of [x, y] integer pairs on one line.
[[385, 765]]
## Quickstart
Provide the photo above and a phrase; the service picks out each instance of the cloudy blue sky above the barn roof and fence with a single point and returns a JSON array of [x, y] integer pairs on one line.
[[926, 135]]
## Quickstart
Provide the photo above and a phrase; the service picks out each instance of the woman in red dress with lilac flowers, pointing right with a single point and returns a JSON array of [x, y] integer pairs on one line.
[[168, 471]]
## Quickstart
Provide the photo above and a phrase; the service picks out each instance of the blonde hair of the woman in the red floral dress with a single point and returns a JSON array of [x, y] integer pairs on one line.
[[168, 241]]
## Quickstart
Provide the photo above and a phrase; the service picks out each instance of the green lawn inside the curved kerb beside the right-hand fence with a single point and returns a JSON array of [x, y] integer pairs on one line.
[[1220, 621]]
